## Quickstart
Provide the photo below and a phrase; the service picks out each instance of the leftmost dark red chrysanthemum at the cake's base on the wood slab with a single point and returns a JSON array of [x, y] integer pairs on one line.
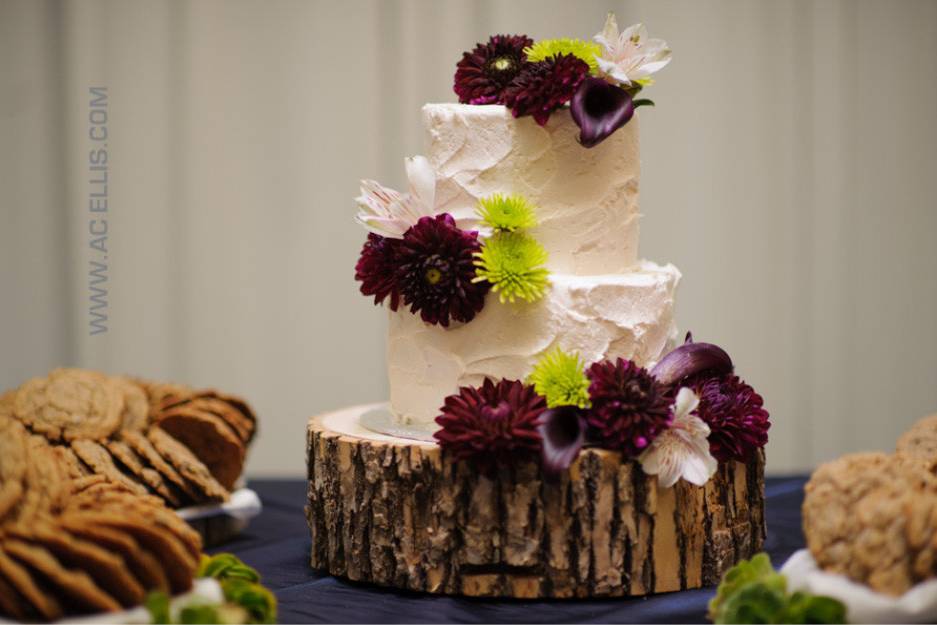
[[491, 424]]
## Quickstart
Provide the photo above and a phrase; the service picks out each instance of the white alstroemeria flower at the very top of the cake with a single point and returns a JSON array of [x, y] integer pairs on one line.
[[630, 56]]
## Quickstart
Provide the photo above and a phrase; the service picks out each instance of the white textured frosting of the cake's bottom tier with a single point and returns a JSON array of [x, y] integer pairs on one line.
[[604, 316]]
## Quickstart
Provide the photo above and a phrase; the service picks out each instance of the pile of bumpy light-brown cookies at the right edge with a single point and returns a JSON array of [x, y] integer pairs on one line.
[[873, 516]]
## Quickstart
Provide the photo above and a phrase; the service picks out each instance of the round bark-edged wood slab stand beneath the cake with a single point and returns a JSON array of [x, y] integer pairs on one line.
[[392, 511]]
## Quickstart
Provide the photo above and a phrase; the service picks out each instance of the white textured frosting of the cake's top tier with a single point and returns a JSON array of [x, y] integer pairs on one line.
[[587, 199]]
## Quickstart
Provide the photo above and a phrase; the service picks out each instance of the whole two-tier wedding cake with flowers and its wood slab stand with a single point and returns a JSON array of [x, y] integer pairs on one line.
[[547, 434]]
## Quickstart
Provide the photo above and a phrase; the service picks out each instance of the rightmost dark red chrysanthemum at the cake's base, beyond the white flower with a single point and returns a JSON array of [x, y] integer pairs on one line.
[[736, 417]]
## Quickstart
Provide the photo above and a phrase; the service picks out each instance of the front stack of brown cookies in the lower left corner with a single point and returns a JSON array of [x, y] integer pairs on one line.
[[71, 546]]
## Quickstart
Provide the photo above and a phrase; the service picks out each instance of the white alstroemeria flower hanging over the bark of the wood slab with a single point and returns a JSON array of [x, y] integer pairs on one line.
[[682, 451]]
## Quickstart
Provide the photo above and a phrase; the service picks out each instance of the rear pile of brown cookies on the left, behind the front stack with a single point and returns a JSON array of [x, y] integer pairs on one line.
[[184, 446]]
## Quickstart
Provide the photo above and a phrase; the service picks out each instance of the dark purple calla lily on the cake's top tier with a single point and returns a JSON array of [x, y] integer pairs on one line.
[[600, 108]]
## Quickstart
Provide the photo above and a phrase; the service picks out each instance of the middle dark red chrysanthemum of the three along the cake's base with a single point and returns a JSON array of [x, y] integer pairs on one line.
[[629, 407]]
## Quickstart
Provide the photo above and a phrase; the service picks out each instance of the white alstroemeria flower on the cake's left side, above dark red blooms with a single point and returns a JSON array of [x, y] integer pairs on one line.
[[390, 213]]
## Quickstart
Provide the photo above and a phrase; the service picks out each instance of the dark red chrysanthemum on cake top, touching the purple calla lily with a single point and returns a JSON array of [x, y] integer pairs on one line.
[[541, 88]]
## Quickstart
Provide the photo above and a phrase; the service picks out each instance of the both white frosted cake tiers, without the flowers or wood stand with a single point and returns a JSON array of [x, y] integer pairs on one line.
[[603, 301]]
